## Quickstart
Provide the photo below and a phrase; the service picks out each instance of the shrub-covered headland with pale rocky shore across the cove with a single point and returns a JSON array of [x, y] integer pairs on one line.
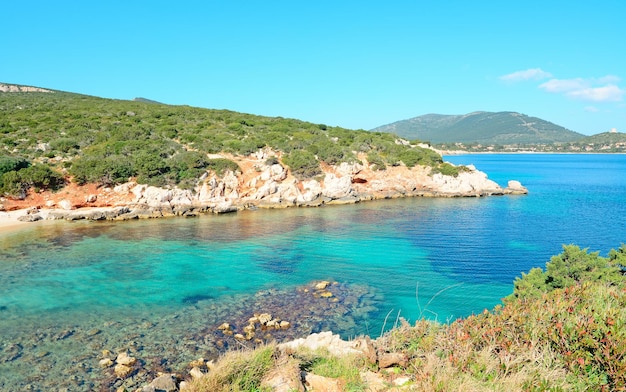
[[182, 155]]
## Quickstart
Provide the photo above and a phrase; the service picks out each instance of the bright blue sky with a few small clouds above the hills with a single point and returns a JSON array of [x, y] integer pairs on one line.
[[355, 64]]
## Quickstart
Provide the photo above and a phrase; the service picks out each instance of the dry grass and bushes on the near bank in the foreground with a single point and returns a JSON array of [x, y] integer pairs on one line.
[[563, 329]]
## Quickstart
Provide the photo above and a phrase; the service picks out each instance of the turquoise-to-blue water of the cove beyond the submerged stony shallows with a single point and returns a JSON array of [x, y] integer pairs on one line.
[[423, 257]]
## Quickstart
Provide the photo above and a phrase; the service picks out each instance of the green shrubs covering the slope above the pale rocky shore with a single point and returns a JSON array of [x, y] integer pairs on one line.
[[106, 141]]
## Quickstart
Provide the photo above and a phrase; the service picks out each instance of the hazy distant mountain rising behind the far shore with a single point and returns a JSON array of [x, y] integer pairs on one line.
[[481, 127]]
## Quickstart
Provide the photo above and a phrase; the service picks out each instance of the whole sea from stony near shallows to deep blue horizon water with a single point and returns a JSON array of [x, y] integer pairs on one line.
[[72, 293]]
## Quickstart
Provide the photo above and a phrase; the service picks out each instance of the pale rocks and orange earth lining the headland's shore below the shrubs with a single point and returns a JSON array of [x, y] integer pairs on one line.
[[271, 185]]
